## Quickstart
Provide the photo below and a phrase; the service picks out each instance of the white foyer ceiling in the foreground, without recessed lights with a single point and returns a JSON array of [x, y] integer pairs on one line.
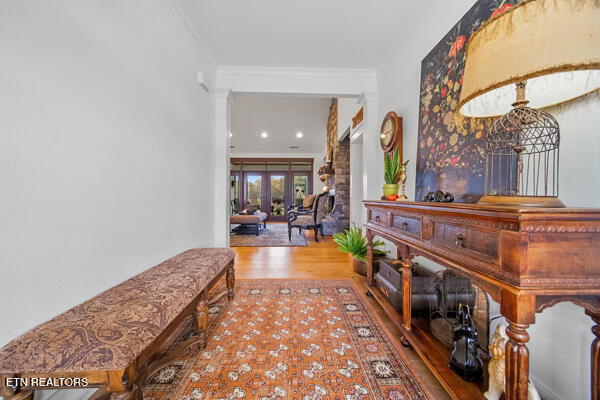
[[307, 33]]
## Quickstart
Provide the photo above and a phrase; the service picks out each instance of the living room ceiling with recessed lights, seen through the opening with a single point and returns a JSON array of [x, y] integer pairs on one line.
[[281, 117]]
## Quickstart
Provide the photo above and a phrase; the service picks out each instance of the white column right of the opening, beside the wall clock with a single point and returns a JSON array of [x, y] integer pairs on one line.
[[372, 156]]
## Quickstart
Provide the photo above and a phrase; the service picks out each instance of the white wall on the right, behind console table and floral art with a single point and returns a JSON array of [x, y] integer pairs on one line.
[[561, 337]]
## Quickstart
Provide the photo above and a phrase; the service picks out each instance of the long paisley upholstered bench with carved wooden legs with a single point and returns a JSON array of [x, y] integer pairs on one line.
[[111, 340]]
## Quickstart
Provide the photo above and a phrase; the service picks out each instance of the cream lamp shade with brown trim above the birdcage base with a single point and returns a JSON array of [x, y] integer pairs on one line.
[[554, 45]]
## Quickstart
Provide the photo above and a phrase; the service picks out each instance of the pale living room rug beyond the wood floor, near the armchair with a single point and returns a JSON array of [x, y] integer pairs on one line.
[[275, 235]]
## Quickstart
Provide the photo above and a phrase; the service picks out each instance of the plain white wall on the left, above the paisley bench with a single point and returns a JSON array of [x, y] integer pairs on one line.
[[105, 149]]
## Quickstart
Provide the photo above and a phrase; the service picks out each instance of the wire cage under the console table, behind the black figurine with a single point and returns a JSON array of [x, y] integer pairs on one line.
[[453, 292]]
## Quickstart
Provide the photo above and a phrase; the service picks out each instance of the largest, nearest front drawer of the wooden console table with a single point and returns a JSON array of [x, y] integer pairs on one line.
[[474, 240]]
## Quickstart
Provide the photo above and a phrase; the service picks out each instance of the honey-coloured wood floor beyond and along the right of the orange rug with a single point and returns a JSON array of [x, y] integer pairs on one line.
[[319, 260]]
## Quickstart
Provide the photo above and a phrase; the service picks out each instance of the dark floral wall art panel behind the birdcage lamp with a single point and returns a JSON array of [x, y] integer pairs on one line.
[[450, 156]]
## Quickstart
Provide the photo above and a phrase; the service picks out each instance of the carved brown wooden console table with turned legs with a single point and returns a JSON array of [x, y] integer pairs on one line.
[[526, 259]]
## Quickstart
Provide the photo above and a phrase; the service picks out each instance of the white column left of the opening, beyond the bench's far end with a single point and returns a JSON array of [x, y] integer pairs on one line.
[[222, 196]]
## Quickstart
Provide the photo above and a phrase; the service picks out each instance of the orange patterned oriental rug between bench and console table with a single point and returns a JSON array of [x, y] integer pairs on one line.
[[291, 339]]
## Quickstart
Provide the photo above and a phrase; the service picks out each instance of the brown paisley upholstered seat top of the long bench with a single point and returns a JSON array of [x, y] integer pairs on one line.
[[110, 330]]
